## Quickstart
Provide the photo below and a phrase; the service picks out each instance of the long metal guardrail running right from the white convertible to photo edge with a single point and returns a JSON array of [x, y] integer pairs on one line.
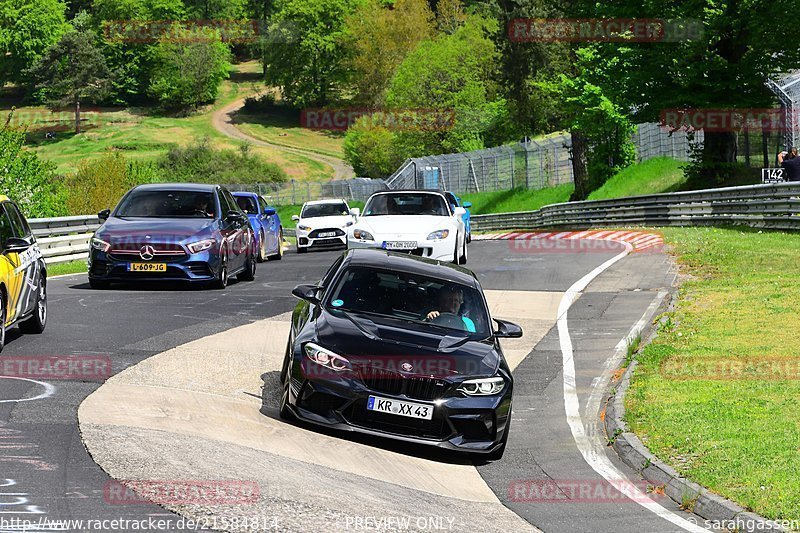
[[774, 206]]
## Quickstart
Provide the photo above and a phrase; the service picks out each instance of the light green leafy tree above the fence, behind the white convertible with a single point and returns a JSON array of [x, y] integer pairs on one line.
[[453, 73]]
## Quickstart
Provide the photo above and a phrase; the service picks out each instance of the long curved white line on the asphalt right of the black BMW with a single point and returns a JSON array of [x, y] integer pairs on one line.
[[599, 462]]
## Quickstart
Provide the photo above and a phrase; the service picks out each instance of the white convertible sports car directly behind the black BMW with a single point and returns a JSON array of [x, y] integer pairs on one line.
[[420, 222]]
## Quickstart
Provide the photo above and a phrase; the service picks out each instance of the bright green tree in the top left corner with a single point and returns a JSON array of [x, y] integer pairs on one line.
[[27, 29]]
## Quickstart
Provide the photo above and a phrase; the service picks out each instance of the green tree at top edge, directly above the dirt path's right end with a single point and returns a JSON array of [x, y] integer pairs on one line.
[[304, 52]]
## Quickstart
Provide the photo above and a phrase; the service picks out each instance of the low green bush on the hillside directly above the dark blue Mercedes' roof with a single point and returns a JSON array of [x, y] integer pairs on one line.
[[202, 164]]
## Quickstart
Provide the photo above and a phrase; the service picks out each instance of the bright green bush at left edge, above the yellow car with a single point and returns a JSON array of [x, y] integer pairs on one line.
[[26, 179]]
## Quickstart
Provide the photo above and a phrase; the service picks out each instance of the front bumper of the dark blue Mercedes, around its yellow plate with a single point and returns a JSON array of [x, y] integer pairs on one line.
[[200, 267]]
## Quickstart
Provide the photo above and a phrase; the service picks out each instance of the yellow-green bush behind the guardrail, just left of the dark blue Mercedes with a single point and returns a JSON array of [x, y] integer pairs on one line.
[[100, 183]]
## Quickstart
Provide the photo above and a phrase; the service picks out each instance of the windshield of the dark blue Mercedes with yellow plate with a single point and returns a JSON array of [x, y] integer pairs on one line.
[[166, 203]]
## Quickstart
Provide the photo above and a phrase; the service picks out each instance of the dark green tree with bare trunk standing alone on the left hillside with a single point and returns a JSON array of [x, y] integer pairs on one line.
[[72, 71]]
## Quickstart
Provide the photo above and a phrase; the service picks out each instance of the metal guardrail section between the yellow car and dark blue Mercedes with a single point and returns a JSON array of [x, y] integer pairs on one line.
[[64, 238]]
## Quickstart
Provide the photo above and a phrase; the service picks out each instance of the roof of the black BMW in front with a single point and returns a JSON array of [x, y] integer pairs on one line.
[[402, 262]]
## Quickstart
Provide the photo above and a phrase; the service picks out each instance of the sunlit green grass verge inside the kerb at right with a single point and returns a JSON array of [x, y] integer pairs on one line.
[[733, 429]]
